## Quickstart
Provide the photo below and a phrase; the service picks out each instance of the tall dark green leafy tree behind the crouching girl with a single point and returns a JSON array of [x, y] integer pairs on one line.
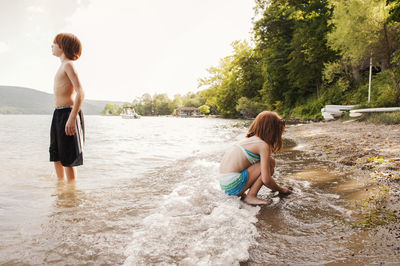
[[291, 39]]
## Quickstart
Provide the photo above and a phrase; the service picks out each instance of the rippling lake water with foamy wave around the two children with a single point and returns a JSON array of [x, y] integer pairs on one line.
[[148, 193]]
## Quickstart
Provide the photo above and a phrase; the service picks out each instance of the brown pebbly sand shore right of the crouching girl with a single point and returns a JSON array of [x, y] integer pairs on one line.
[[370, 153]]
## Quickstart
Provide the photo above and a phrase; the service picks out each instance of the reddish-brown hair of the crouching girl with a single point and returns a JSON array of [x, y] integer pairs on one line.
[[269, 127]]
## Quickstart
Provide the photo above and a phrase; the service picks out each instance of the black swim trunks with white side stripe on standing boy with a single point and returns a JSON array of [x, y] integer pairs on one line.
[[63, 148]]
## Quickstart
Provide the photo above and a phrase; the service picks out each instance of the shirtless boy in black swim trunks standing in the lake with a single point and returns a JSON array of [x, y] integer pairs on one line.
[[65, 142]]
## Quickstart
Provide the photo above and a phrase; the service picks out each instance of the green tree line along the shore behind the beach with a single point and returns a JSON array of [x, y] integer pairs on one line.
[[303, 54]]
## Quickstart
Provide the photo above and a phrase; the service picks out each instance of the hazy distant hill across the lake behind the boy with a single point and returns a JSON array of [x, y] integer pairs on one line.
[[19, 100]]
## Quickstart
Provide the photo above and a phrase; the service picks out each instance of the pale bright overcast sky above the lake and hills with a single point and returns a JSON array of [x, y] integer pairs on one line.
[[130, 47]]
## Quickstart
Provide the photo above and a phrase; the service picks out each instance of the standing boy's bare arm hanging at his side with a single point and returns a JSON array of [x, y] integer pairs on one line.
[[70, 127]]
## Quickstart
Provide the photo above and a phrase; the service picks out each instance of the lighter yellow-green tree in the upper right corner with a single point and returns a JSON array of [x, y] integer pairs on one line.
[[362, 30]]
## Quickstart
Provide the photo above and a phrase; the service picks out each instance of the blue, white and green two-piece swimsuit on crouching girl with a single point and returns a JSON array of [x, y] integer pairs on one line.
[[233, 183]]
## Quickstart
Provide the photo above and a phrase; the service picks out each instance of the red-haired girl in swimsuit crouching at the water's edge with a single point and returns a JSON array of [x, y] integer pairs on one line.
[[248, 165]]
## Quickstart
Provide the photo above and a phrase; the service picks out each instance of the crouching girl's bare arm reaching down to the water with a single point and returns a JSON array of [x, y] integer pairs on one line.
[[266, 177]]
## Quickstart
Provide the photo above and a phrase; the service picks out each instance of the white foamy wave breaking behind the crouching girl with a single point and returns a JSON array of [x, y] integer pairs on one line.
[[196, 224]]
